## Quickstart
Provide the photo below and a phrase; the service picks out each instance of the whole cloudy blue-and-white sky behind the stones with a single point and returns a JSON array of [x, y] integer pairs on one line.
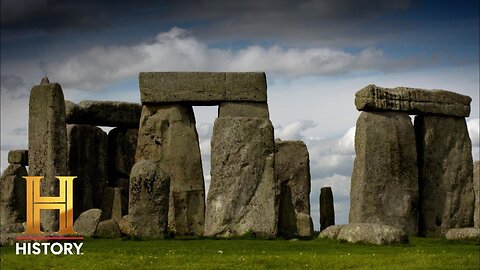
[[316, 55]]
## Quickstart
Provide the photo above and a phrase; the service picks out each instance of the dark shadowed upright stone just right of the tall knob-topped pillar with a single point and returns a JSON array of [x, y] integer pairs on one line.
[[87, 159]]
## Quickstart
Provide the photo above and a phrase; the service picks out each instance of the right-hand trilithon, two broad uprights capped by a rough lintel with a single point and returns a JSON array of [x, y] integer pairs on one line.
[[418, 177]]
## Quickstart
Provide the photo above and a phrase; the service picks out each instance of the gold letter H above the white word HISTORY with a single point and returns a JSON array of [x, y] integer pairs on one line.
[[35, 202]]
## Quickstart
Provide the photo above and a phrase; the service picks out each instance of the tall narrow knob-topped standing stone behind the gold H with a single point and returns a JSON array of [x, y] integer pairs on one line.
[[47, 143]]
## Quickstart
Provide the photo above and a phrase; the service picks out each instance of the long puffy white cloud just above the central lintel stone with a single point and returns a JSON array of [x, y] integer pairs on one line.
[[178, 50]]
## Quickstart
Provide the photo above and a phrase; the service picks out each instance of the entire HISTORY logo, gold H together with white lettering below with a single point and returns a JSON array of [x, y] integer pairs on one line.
[[54, 243]]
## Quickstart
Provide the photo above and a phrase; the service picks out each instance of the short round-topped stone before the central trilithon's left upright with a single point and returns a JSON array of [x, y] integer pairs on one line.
[[148, 200]]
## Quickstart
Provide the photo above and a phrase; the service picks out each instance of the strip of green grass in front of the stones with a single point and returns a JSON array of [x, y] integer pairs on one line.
[[420, 253]]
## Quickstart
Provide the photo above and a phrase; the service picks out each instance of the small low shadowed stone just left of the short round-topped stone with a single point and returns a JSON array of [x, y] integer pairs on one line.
[[115, 203]]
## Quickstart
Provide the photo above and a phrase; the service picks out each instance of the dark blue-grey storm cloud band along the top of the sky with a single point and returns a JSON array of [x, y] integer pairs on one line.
[[228, 19]]
